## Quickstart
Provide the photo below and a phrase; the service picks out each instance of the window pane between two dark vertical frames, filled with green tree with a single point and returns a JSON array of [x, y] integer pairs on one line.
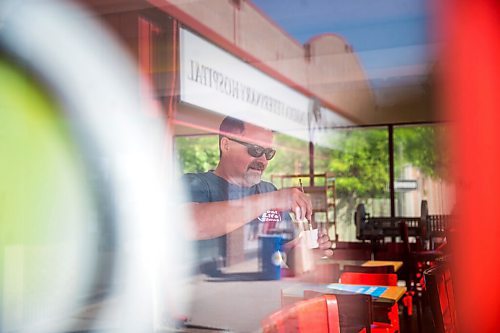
[[359, 162]]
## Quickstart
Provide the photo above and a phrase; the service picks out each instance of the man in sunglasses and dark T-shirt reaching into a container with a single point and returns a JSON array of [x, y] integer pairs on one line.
[[233, 194]]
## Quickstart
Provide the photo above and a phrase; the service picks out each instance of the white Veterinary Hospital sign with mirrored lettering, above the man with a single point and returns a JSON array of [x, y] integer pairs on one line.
[[215, 84]]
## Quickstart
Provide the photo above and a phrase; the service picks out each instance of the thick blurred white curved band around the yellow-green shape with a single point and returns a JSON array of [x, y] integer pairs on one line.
[[98, 88]]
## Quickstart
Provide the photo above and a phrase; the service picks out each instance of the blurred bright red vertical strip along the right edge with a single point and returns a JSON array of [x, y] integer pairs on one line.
[[471, 63]]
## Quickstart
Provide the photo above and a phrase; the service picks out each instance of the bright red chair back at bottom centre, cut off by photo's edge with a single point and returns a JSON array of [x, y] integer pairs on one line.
[[319, 314]]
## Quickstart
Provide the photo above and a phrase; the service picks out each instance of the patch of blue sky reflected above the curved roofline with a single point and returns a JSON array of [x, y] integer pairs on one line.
[[386, 34]]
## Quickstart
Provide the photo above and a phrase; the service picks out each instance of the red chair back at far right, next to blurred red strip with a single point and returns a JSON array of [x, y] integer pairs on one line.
[[441, 299]]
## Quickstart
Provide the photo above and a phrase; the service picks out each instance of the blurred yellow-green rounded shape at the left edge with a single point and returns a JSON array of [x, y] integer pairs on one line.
[[47, 215]]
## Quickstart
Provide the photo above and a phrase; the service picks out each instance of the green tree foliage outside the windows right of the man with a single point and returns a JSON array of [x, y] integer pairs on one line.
[[360, 162]]
